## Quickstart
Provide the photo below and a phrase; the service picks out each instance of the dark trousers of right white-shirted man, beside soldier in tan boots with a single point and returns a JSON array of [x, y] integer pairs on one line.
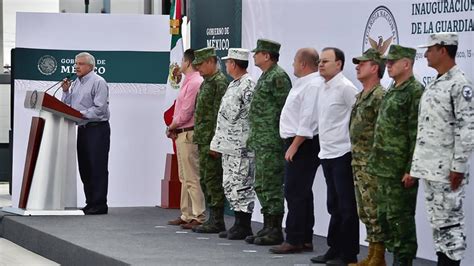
[[343, 232]]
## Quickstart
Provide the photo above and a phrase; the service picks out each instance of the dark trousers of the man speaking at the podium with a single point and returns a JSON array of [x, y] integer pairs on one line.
[[93, 144]]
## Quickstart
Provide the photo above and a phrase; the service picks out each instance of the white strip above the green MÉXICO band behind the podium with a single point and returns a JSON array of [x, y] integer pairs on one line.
[[107, 32]]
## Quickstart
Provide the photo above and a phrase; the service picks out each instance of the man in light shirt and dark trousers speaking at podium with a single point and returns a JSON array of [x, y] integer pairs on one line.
[[89, 94]]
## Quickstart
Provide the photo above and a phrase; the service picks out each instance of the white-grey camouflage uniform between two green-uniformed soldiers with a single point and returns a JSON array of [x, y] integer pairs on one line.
[[230, 139]]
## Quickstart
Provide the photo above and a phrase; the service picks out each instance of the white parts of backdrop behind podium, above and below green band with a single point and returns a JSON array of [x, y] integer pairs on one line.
[[138, 145]]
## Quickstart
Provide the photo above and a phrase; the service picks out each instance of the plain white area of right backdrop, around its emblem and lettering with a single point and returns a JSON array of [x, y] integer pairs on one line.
[[304, 23]]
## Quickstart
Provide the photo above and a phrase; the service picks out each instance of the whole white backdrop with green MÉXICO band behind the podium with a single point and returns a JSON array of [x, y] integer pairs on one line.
[[132, 54]]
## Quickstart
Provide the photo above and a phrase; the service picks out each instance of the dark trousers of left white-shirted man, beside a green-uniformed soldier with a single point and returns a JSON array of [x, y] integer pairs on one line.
[[299, 177]]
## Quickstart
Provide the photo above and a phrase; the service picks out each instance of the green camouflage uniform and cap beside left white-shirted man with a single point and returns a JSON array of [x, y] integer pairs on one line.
[[264, 139]]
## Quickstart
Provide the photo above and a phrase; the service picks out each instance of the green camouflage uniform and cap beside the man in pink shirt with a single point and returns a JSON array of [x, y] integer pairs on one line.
[[207, 106]]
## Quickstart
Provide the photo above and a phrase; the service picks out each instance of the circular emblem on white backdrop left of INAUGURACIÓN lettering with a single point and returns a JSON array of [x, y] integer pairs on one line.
[[381, 30]]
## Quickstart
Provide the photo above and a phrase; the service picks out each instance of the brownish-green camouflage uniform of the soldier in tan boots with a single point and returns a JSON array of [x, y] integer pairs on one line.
[[363, 116]]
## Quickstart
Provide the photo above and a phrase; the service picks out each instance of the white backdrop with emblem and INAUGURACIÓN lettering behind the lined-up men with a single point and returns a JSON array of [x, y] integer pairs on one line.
[[355, 26]]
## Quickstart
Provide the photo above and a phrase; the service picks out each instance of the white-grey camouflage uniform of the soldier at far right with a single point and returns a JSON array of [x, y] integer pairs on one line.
[[444, 143]]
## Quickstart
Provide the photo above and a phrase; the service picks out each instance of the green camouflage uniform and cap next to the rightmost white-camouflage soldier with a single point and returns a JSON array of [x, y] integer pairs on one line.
[[394, 142]]
